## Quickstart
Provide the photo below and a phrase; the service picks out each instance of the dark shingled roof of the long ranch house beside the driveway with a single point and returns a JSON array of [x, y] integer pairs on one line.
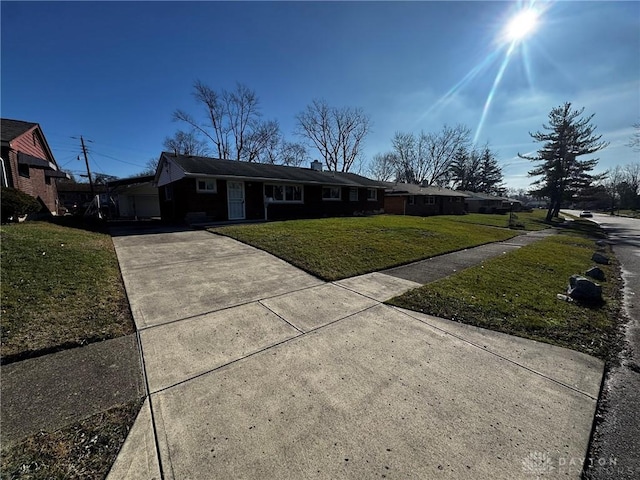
[[194, 166]]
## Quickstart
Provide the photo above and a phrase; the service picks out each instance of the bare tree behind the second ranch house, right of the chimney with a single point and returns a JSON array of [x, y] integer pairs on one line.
[[427, 158]]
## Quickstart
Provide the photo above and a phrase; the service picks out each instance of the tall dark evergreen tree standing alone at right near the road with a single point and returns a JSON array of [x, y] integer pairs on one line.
[[561, 174]]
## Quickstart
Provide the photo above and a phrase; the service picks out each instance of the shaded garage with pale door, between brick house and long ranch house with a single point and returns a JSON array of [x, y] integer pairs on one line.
[[135, 197]]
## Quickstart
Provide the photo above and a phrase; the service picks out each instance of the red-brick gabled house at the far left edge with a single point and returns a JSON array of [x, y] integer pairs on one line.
[[27, 163]]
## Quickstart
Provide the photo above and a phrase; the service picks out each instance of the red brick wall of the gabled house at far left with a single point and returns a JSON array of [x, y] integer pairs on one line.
[[36, 184]]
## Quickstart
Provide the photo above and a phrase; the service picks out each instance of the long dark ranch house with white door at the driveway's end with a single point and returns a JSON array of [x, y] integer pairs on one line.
[[201, 189]]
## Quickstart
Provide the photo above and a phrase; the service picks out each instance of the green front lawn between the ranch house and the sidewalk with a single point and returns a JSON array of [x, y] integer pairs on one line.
[[336, 248]]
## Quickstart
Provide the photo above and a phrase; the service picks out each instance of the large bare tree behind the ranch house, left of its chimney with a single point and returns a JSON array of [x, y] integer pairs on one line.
[[232, 121]]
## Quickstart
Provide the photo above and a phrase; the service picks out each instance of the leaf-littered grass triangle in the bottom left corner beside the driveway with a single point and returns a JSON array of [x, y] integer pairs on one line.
[[84, 450]]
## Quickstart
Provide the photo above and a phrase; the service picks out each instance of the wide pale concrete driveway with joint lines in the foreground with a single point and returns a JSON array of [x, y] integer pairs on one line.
[[258, 370]]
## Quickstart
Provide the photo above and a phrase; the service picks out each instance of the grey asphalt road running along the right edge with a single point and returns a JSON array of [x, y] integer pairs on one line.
[[615, 450]]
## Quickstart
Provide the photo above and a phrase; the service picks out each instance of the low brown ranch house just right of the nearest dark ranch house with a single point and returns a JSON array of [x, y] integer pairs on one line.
[[411, 199]]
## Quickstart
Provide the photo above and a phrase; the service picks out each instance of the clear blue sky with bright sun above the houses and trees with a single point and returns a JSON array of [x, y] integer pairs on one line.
[[114, 72]]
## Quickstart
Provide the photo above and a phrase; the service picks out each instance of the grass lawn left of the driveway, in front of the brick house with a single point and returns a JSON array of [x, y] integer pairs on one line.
[[61, 287]]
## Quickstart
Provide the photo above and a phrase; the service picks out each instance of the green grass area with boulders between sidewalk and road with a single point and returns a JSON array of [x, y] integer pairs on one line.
[[516, 294]]
